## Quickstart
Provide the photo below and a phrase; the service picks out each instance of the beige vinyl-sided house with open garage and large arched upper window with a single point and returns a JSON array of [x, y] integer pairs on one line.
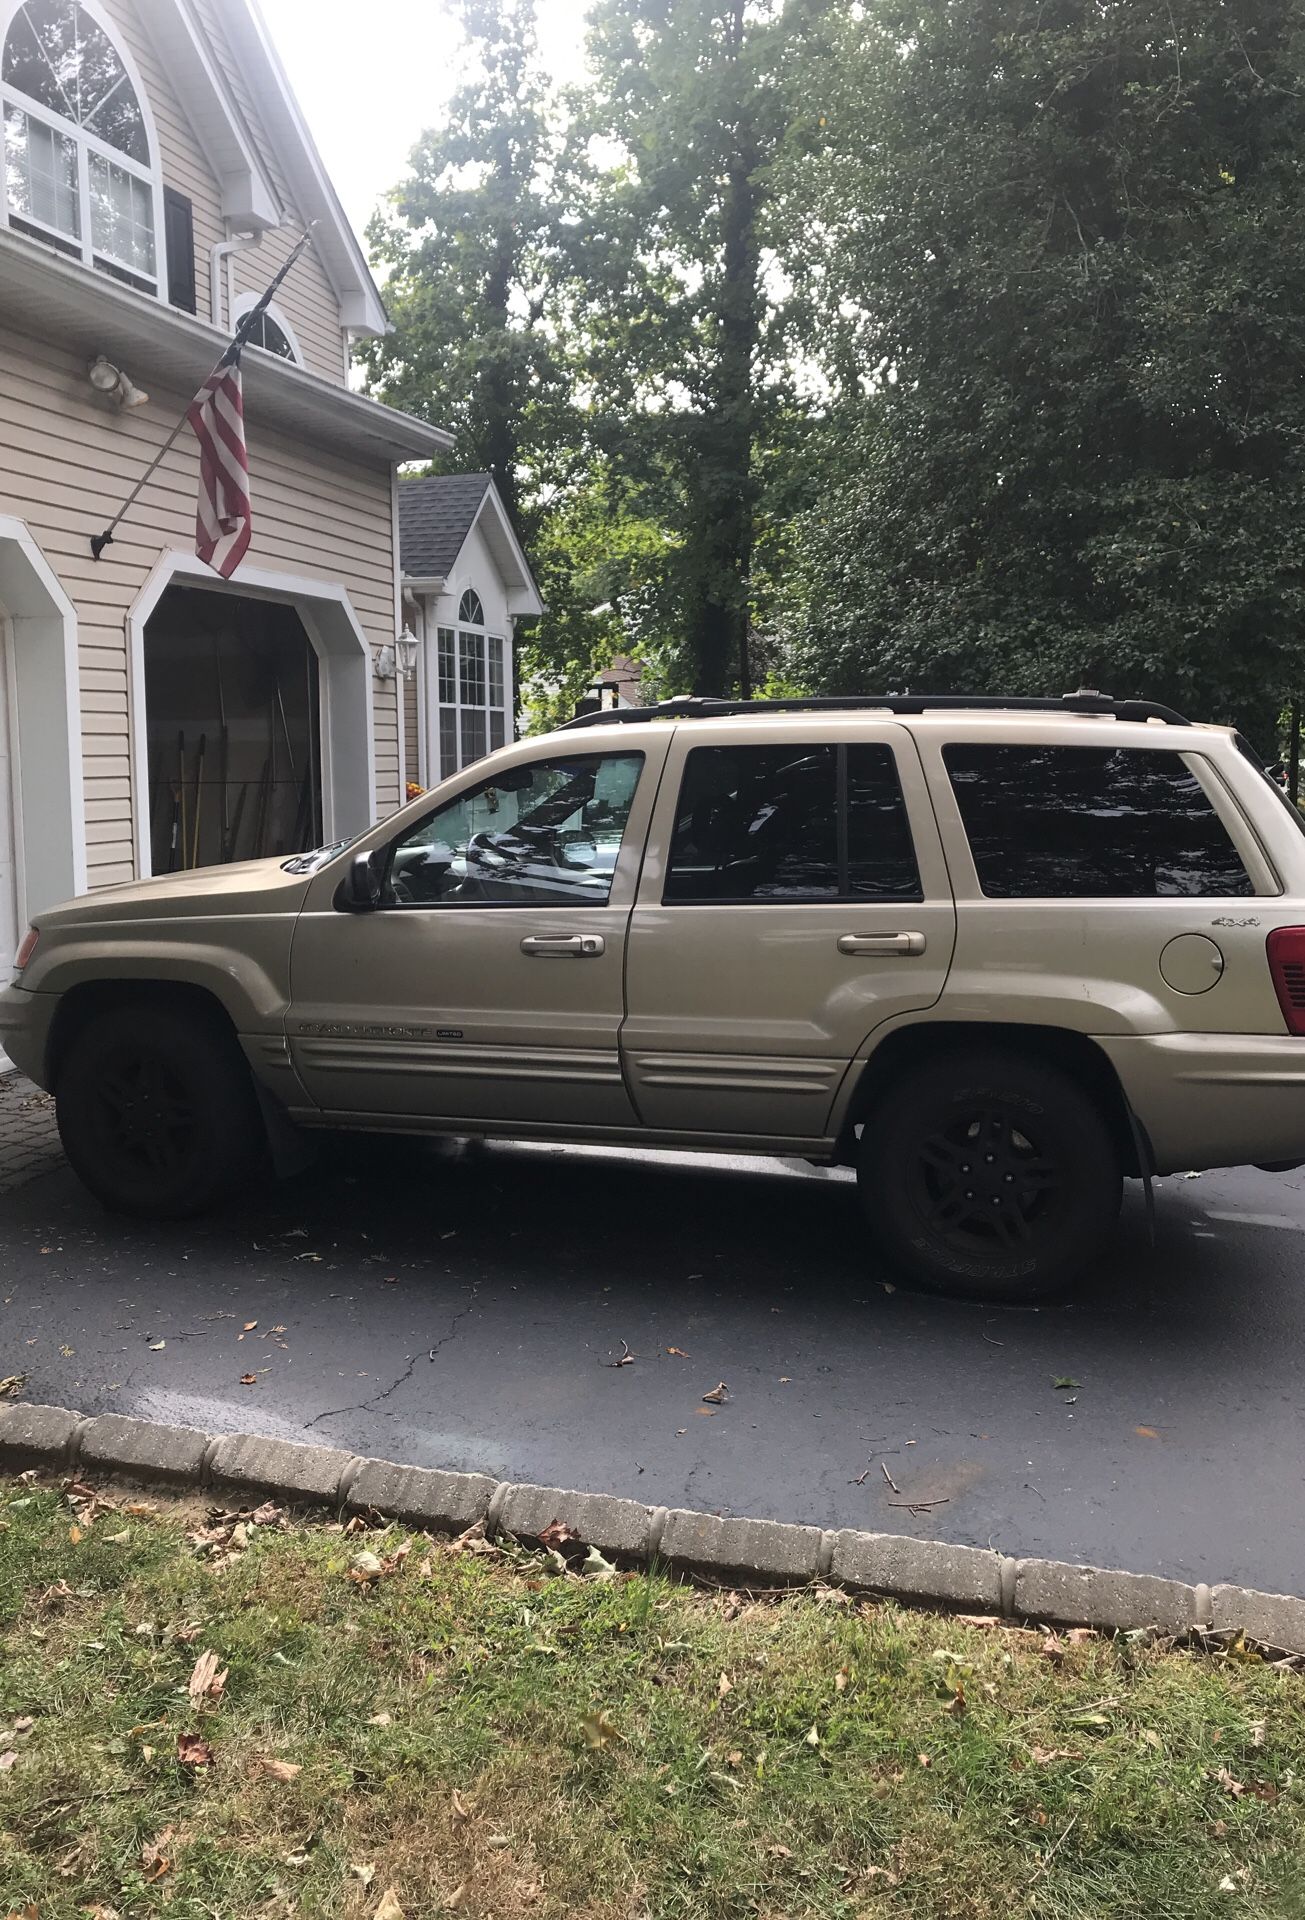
[[154, 717]]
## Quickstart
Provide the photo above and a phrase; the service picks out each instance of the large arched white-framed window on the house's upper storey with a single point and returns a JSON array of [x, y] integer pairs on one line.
[[78, 156]]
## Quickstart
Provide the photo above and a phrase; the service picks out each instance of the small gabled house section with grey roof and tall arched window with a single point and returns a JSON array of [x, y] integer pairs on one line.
[[465, 585]]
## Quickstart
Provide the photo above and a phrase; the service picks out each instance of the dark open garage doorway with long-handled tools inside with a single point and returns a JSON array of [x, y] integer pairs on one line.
[[233, 731]]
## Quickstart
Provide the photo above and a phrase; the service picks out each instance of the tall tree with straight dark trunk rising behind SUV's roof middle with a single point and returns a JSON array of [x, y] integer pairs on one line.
[[678, 299]]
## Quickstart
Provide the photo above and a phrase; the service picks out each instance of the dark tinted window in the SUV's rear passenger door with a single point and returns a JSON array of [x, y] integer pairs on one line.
[[801, 823]]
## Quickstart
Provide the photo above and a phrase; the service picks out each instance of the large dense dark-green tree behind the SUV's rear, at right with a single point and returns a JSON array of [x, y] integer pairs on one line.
[[1058, 262]]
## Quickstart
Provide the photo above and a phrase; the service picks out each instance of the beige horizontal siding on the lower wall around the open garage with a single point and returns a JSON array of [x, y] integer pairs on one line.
[[66, 466]]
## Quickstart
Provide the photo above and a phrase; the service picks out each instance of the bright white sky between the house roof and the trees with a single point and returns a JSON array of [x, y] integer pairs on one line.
[[373, 74]]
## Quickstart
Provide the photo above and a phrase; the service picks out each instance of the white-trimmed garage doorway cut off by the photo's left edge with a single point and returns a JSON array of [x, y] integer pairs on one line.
[[45, 725]]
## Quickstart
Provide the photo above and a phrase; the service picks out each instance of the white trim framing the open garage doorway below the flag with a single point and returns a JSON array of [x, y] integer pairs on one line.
[[346, 673]]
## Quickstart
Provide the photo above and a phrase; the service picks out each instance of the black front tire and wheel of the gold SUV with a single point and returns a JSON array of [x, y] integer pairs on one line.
[[158, 1113]]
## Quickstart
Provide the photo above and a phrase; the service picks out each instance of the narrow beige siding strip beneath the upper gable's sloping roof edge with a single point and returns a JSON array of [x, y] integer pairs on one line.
[[306, 299]]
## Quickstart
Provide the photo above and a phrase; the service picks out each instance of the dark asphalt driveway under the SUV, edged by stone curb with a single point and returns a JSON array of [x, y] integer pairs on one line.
[[465, 1308]]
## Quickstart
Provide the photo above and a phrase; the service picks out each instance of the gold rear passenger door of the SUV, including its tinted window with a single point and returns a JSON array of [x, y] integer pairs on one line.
[[794, 900]]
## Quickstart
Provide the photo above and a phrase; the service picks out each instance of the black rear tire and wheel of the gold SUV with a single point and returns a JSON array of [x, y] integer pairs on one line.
[[1037, 1151]]
